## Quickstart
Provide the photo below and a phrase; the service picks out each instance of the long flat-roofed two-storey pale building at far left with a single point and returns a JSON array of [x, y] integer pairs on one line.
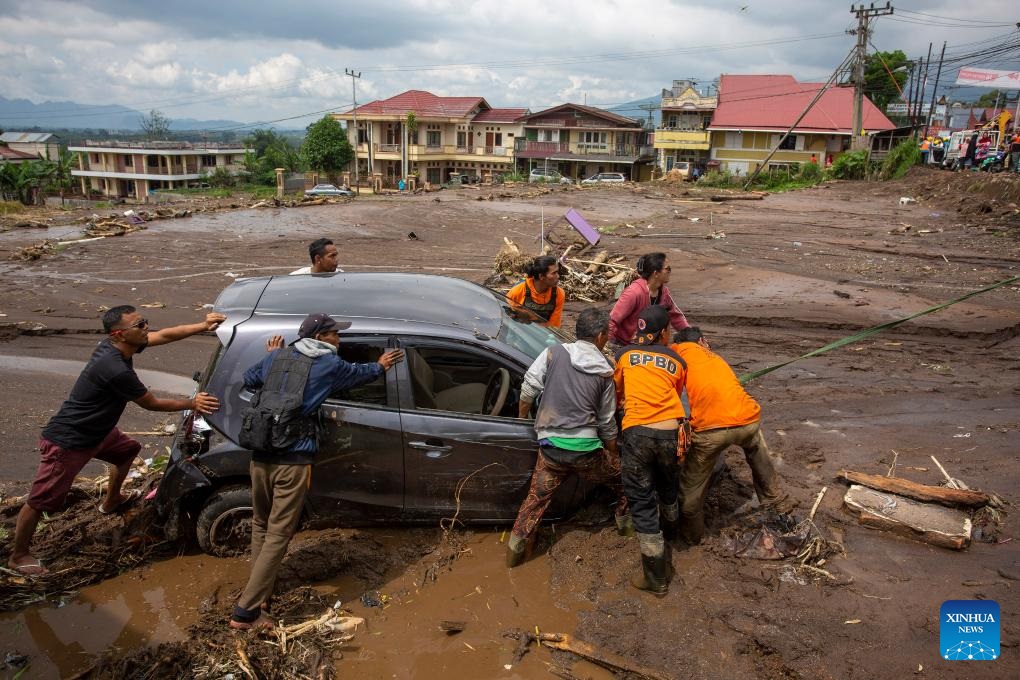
[[133, 170]]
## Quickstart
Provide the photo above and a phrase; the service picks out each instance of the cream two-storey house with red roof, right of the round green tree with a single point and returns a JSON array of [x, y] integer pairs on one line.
[[445, 136]]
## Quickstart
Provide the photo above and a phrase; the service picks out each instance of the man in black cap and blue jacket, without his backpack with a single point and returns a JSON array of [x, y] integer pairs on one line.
[[280, 481]]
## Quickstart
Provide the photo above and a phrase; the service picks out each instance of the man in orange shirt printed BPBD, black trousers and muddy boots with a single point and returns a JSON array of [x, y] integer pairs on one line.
[[649, 381]]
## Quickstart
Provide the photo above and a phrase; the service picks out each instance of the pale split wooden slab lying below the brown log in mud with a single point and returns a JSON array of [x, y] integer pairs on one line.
[[941, 527]]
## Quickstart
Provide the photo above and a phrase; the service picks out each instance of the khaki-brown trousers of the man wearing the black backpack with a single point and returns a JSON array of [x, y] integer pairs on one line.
[[278, 499]]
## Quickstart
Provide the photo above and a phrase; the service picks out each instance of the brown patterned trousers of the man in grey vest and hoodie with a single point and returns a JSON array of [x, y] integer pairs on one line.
[[600, 467]]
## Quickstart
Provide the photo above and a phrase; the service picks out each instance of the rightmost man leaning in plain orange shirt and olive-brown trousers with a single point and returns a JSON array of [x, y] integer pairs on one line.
[[722, 414]]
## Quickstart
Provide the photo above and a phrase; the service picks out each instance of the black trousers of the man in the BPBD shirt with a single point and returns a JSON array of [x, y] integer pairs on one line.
[[649, 475]]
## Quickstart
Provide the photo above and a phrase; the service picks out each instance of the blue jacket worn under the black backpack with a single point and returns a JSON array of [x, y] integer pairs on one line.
[[329, 375]]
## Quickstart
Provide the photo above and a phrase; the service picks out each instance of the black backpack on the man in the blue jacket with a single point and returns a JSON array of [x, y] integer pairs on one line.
[[273, 423]]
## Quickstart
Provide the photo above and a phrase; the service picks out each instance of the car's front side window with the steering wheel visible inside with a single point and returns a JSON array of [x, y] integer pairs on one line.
[[453, 380]]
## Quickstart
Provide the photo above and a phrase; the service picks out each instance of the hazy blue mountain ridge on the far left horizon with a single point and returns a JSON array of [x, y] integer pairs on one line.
[[17, 114]]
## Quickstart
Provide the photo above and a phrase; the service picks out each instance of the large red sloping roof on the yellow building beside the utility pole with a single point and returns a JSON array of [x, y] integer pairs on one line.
[[775, 102]]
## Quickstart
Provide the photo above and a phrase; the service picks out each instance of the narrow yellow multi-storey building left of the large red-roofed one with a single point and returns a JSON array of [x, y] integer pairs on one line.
[[683, 135]]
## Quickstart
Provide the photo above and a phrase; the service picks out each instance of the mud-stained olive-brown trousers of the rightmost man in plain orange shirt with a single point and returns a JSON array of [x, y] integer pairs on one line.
[[706, 447]]
